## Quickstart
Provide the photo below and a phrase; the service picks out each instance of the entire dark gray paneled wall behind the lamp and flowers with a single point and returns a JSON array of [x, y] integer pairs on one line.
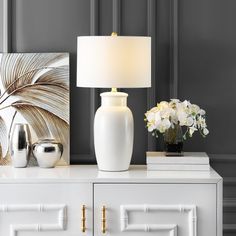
[[193, 57]]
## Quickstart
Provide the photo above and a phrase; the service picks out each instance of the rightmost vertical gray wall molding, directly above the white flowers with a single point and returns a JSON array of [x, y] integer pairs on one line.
[[174, 51]]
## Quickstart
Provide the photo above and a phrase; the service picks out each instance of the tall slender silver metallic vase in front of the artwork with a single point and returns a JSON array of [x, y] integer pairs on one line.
[[20, 145]]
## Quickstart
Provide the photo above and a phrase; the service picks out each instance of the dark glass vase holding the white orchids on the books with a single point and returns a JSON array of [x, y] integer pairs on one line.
[[173, 141]]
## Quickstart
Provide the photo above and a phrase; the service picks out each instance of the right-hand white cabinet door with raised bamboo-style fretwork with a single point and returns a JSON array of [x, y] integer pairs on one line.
[[156, 209]]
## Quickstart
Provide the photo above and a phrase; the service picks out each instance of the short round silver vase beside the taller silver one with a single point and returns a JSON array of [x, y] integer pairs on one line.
[[47, 152]]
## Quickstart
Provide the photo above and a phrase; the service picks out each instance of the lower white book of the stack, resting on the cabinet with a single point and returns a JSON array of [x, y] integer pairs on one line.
[[176, 167]]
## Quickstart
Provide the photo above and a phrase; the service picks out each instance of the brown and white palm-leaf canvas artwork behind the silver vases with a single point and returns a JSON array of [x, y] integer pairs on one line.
[[34, 89]]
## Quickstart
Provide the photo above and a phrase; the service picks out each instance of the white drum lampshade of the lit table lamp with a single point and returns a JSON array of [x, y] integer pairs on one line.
[[113, 62]]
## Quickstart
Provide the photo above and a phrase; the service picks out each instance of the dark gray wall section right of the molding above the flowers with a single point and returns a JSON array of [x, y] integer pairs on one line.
[[207, 75]]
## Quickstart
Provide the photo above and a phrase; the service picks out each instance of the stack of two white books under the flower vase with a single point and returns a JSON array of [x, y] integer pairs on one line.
[[197, 161]]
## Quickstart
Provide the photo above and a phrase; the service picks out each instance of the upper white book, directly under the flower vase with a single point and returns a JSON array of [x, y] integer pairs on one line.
[[187, 158]]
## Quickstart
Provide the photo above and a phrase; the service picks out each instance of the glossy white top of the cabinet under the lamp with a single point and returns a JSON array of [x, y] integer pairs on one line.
[[90, 174]]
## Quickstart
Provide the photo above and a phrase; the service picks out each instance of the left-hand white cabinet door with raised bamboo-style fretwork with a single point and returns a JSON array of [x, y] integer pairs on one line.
[[44, 209]]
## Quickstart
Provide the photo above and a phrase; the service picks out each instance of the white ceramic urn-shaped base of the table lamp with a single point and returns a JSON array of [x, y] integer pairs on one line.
[[113, 132]]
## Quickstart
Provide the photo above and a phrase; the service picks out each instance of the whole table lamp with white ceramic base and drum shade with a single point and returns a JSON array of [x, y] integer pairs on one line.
[[113, 62]]
